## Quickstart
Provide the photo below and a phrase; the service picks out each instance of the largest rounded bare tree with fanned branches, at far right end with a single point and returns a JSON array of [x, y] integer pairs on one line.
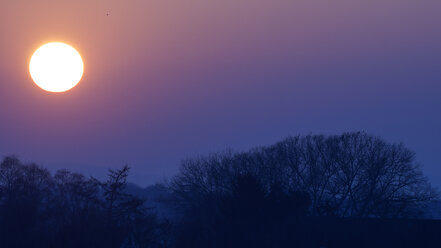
[[356, 175]]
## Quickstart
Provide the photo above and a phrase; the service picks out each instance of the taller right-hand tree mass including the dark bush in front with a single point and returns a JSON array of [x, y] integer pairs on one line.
[[267, 197]]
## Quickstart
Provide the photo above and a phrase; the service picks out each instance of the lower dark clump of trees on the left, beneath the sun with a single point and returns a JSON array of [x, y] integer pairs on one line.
[[67, 209]]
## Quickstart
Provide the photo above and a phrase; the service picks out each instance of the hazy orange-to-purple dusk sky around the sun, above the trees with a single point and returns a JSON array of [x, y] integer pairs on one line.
[[166, 80]]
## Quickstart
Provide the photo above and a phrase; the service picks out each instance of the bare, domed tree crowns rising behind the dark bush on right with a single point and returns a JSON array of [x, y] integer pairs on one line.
[[348, 175]]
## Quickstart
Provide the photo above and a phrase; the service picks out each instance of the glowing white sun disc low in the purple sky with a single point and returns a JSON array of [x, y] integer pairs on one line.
[[56, 67]]
